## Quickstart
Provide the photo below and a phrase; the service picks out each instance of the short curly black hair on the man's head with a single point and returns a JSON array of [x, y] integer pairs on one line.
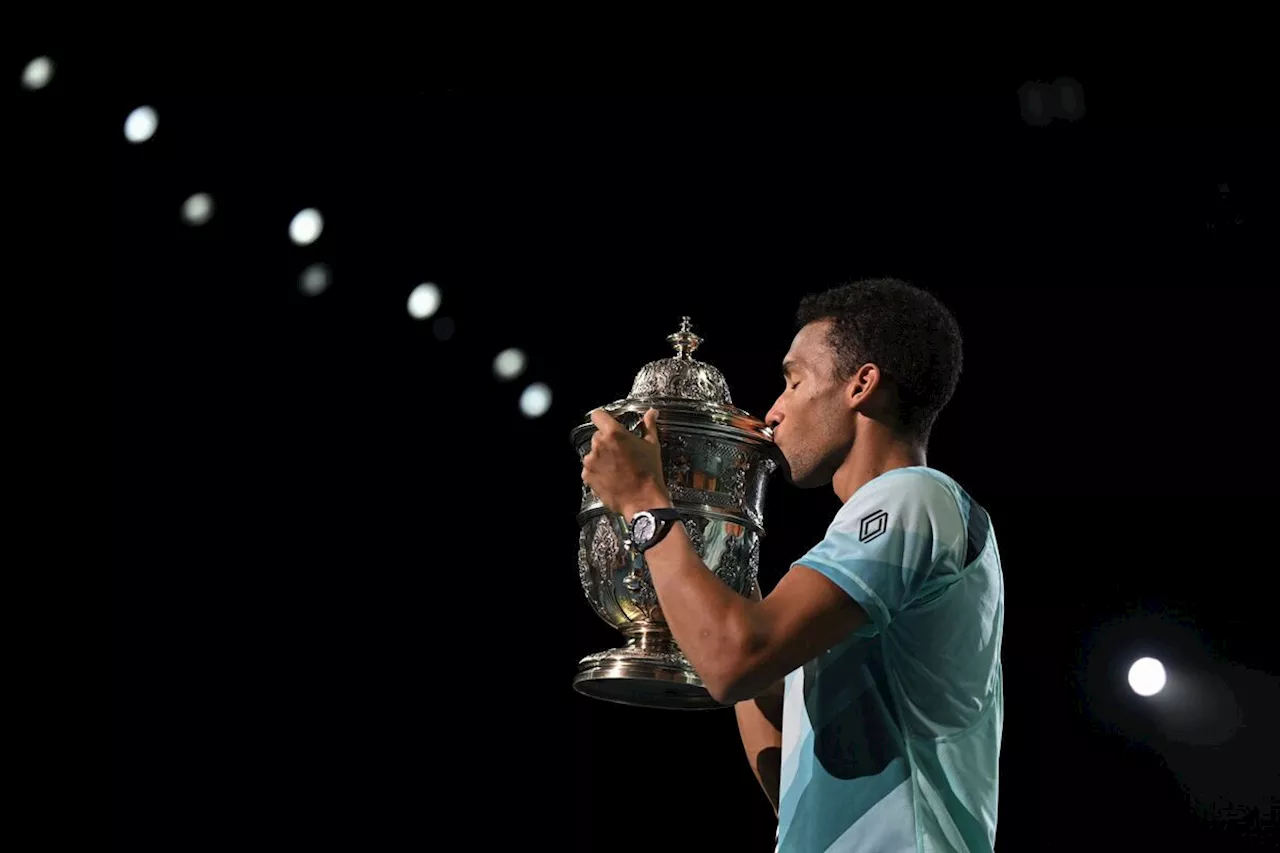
[[903, 330]]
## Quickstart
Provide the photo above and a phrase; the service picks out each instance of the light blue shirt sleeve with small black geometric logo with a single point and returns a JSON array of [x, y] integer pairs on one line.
[[900, 536]]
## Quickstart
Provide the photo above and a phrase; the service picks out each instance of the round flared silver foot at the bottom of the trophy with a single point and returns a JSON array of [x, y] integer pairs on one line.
[[647, 673]]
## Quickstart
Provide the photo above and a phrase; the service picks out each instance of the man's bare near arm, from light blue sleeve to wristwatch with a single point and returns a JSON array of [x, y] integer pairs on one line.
[[737, 646]]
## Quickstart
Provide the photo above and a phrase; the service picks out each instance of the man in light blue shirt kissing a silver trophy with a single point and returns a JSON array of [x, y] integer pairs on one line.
[[883, 644]]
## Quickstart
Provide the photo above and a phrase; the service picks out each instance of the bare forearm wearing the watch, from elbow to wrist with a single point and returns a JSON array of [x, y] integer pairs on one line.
[[708, 621]]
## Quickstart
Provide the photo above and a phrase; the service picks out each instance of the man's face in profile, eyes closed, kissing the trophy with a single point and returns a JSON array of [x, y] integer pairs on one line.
[[812, 419]]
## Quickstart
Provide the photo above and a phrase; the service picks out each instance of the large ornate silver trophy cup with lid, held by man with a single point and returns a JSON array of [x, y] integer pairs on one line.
[[717, 462]]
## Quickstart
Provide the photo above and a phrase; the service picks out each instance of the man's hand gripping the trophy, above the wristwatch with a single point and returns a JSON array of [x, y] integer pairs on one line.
[[624, 469]]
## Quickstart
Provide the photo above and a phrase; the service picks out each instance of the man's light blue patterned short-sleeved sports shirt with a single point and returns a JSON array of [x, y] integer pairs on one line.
[[892, 740]]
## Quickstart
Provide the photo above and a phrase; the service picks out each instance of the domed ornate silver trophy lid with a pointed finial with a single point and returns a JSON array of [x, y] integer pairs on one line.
[[688, 391]]
